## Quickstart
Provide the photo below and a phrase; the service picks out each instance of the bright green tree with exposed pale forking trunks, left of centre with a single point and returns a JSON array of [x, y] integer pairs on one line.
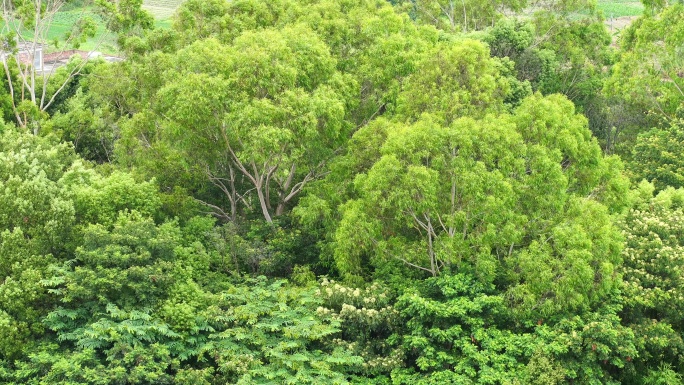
[[268, 109]]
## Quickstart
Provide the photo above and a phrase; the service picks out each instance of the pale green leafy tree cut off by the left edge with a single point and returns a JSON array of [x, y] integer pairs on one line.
[[36, 218]]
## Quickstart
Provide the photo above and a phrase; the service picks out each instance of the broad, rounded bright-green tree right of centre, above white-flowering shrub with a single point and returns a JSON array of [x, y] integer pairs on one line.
[[503, 196]]
